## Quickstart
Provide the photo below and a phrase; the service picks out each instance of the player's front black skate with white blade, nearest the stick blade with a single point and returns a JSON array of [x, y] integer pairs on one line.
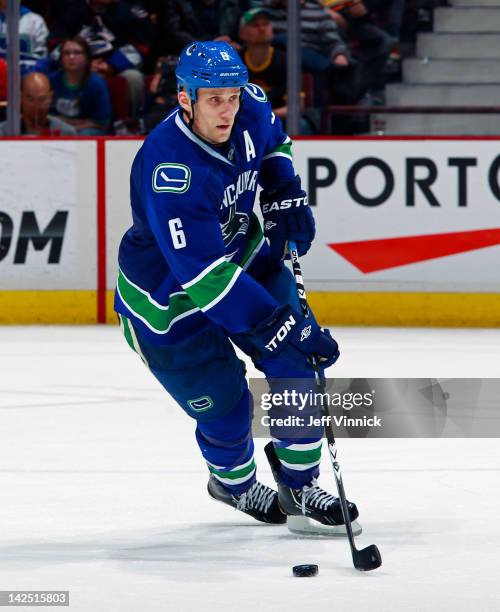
[[311, 509]]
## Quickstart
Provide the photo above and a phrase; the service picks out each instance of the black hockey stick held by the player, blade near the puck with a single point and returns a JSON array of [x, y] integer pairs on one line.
[[367, 558]]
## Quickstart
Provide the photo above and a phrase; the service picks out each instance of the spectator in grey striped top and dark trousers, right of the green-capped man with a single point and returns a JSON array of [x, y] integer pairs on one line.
[[325, 52]]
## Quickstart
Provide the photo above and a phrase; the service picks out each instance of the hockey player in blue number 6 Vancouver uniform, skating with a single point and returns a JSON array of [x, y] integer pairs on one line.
[[196, 272]]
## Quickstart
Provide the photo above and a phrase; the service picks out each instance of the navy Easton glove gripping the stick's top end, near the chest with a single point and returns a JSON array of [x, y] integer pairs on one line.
[[287, 216]]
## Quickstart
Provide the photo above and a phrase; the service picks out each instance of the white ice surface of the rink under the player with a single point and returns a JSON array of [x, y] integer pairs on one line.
[[102, 489]]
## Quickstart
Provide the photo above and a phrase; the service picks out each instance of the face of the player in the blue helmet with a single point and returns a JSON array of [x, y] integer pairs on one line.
[[215, 111]]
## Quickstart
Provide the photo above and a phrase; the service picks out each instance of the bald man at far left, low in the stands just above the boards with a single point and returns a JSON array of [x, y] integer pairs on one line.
[[36, 97]]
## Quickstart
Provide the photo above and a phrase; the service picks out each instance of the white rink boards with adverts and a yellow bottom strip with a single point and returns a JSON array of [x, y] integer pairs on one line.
[[408, 230]]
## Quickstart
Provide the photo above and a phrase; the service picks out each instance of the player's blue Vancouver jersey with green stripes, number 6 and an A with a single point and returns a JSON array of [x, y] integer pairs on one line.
[[196, 247]]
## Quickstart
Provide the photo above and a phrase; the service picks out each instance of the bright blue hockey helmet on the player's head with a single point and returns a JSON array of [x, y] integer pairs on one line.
[[209, 64]]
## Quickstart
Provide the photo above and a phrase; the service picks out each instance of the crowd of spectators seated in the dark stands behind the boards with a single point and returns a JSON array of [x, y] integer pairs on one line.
[[94, 67]]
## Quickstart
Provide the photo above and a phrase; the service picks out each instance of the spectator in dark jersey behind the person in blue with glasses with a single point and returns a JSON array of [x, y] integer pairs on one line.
[[119, 35]]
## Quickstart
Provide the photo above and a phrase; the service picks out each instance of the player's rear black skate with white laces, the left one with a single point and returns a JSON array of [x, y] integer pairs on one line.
[[260, 502]]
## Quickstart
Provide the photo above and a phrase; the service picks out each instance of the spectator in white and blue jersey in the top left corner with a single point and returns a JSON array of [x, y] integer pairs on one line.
[[33, 34]]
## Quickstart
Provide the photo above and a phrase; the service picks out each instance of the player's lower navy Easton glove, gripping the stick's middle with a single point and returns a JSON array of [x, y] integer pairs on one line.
[[288, 334]]
